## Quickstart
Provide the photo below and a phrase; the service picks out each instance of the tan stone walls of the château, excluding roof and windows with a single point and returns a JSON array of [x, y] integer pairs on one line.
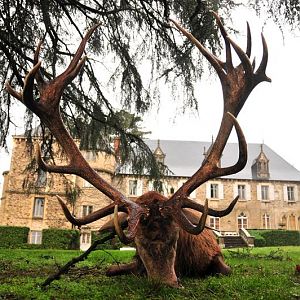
[[18, 197]]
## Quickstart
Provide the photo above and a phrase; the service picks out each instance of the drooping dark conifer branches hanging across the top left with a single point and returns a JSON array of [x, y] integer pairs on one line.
[[134, 34]]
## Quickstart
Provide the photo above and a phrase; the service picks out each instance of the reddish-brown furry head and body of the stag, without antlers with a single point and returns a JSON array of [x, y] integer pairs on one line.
[[165, 251]]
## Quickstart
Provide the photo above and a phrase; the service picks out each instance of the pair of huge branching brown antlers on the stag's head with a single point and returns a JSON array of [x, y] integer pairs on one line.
[[237, 84]]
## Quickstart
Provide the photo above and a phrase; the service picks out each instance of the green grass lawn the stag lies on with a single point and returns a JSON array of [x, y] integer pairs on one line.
[[261, 273]]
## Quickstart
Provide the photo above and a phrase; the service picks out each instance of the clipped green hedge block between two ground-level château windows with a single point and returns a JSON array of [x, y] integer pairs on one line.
[[60, 239]]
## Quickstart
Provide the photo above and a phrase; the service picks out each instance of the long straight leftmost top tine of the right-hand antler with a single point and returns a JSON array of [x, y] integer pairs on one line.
[[216, 63]]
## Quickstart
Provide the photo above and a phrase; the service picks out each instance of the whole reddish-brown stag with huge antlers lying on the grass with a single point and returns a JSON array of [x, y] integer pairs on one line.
[[170, 240]]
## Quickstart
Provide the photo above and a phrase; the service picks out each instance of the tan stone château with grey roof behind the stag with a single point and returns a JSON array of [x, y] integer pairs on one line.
[[268, 188]]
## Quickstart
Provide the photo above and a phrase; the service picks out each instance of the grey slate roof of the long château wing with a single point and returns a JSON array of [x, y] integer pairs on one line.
[[184, 157]]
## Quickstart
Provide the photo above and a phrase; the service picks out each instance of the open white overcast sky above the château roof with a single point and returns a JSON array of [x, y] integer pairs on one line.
[[270, 115]]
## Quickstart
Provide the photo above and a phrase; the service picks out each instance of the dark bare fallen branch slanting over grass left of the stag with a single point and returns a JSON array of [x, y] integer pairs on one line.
[[65, 269]]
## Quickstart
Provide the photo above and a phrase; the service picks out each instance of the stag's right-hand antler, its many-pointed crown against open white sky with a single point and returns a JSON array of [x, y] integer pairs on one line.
[[237, 84]]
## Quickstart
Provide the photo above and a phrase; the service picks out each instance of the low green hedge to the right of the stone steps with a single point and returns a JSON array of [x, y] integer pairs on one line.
[[266, 238]]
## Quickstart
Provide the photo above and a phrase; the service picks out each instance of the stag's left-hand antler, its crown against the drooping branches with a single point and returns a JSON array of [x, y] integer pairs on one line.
[[48, 110]]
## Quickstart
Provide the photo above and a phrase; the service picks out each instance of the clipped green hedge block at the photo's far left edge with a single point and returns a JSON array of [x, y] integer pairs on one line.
[[13, 237]]
